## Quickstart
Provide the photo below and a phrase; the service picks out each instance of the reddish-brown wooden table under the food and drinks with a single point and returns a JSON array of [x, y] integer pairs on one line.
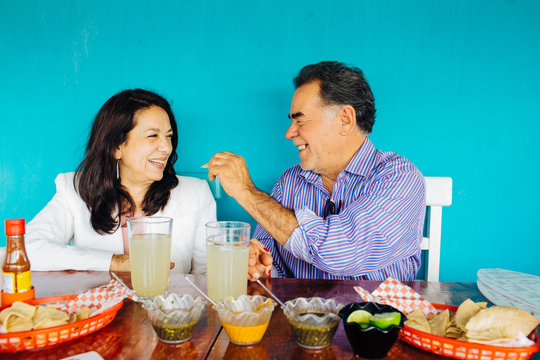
[[130, 334]]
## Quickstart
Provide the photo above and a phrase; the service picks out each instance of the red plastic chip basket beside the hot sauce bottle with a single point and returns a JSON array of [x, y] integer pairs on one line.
[[34, 339]]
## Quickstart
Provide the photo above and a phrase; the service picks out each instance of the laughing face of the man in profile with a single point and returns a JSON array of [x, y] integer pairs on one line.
[[314, 129]]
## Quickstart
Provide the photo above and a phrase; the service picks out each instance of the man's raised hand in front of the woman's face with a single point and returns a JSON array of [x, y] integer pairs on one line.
[[232, 171]]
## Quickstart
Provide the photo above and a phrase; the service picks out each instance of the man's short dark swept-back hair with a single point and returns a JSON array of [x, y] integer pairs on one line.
[[342, 85]]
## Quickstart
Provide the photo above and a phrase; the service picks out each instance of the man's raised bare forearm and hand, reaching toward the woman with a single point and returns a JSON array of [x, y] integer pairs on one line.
[[276, 219]]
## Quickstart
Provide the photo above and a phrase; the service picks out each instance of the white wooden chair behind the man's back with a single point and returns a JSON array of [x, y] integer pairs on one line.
[[438, 194]]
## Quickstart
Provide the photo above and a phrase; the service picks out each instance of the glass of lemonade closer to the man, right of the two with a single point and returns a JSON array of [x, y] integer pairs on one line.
[[227, 254]]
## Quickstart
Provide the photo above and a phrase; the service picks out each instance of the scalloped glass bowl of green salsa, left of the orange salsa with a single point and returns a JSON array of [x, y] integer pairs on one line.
[[174, 317]]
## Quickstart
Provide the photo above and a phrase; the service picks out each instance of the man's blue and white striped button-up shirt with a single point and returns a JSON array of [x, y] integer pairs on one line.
[[376, 232]]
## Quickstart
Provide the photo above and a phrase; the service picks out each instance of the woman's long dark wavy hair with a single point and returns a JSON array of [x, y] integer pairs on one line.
[[96, 178]]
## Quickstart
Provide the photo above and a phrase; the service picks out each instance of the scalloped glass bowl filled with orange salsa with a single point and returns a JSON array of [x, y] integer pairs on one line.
[[245, 318]]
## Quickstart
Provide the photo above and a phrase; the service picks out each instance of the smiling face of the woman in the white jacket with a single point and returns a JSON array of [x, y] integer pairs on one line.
[[144, 154]]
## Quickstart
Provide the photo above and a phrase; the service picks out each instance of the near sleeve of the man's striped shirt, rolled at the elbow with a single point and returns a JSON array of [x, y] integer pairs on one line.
[[378, 229]]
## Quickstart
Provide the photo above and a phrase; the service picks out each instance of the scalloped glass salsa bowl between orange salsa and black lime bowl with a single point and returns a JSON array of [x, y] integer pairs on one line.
[[313, 321]]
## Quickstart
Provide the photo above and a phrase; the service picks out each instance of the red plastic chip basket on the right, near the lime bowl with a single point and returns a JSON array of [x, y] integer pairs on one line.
[[461, 349]]
